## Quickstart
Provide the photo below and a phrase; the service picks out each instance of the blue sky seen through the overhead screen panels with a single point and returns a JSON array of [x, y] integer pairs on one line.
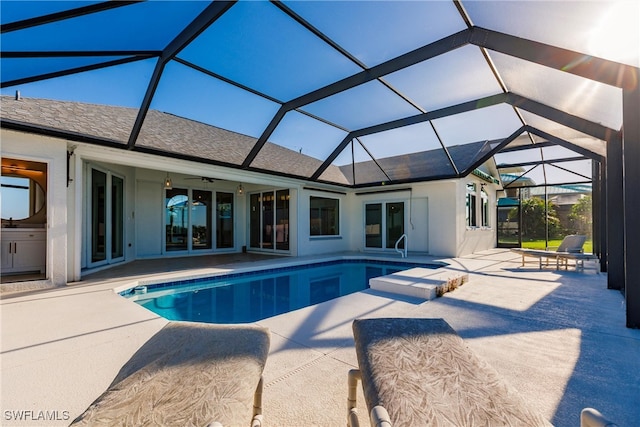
[[257, 45]]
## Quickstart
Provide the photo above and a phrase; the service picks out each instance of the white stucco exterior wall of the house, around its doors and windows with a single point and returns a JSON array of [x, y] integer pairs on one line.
[[434, 216]]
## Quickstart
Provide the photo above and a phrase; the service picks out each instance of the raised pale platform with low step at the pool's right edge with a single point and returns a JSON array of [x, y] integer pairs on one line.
[[424, 283]]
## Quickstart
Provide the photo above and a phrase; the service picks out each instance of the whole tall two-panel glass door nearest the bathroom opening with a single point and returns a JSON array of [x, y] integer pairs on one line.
[[106, 208]]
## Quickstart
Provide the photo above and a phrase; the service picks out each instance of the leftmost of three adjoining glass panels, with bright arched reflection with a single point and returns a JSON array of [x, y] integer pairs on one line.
[[177, 219]]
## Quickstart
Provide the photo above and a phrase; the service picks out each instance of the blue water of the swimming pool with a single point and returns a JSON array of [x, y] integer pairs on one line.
[[249, 297]]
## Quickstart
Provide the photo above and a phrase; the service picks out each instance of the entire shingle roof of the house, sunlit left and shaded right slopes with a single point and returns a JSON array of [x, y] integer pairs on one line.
[[169, 133]]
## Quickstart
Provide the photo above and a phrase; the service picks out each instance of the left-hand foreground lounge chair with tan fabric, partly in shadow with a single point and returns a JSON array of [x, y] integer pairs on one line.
[[188, 374]]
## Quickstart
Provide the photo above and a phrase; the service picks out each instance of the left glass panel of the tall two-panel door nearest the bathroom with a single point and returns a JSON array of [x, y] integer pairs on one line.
[[98, 216]]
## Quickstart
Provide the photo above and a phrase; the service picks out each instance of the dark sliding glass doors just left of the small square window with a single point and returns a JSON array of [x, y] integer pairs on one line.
[[269, 220]]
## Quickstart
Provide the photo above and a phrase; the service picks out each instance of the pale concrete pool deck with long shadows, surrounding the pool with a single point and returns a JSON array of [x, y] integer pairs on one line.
[[558, 337]]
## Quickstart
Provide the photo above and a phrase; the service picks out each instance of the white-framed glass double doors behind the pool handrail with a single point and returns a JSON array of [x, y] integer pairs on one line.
[[382, 231]]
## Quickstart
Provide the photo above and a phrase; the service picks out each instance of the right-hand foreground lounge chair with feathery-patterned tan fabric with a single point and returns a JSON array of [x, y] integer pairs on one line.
[[418, 372]]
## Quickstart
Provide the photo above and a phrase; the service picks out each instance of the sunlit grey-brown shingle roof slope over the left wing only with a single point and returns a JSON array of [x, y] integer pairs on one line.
[[161, 131]]
